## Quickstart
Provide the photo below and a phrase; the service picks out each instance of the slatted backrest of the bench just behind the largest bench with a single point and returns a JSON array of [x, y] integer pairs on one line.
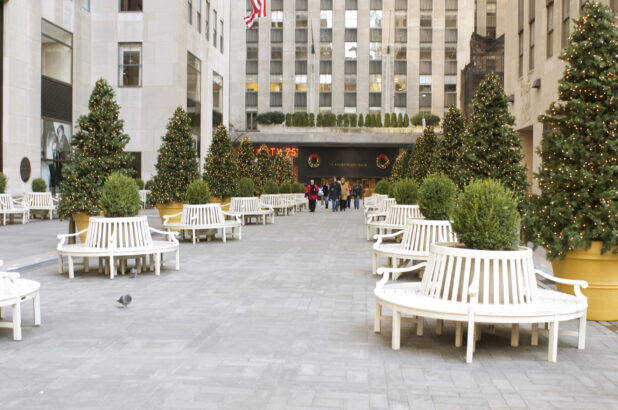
[[419, 234]]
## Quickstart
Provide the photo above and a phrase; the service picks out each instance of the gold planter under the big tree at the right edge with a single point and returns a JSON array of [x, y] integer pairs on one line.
[[601, 273]]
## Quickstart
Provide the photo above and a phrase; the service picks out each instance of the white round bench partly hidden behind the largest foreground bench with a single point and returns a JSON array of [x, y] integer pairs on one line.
[[416, 240]]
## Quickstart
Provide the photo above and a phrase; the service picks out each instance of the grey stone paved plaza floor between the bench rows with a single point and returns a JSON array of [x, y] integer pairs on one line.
[[280, 320]]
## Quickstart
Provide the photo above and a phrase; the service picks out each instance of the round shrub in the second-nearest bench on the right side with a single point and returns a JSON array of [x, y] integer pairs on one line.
[[436, 197]]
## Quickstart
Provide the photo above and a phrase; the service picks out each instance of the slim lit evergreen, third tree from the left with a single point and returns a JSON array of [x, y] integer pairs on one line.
[[220, 167]]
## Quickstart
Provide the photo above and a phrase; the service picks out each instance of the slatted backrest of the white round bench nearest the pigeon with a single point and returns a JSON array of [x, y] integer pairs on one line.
[[132, 232]]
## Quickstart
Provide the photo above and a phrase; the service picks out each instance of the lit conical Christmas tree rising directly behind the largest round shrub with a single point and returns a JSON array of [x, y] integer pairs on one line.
[[491, 148]]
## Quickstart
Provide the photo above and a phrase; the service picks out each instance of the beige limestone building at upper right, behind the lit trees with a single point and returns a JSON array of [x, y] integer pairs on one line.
[[534, 39]]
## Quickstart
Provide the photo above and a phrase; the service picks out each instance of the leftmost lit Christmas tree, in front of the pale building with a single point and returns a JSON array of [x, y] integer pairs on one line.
[[97, 151]]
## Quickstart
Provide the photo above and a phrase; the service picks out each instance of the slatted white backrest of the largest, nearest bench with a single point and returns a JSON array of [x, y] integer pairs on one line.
[[499, 277]]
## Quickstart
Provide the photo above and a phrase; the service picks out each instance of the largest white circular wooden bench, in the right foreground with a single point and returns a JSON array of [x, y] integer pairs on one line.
[[481, 287]]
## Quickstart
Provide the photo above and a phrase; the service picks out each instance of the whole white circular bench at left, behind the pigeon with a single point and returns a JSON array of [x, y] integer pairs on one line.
[[117, 238]]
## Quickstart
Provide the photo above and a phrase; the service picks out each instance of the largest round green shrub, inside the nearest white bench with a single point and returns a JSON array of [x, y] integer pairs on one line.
[[486, 217]]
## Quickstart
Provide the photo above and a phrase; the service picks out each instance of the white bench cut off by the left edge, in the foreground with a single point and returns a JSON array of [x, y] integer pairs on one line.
[[13, 291]]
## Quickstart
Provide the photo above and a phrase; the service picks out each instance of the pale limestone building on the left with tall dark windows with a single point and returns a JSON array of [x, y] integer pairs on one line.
[[157, 54]]
